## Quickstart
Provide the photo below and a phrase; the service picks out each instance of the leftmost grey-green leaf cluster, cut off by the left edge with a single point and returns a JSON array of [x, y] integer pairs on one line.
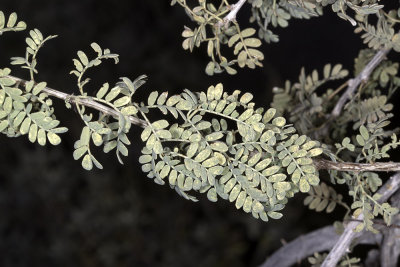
[[25, 109]]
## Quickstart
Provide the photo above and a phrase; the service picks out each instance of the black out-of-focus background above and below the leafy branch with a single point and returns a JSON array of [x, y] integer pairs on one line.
[[54, 213]]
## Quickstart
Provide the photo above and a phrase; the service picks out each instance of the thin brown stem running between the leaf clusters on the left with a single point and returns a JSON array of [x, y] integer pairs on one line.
[[88, 102]]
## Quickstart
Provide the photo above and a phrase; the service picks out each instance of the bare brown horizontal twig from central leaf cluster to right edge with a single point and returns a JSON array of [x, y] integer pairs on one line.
[[323, 164]]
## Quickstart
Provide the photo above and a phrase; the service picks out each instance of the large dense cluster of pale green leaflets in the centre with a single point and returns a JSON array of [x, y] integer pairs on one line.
[[227, 148]]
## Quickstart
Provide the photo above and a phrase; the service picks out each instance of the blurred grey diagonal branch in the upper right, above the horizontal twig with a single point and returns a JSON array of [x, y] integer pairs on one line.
[[361, 77]]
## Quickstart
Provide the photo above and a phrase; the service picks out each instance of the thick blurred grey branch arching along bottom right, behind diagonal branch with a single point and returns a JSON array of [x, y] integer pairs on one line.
[[319, 240]]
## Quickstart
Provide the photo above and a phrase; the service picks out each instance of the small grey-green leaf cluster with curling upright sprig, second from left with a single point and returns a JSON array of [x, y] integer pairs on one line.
[[106, 130]]
